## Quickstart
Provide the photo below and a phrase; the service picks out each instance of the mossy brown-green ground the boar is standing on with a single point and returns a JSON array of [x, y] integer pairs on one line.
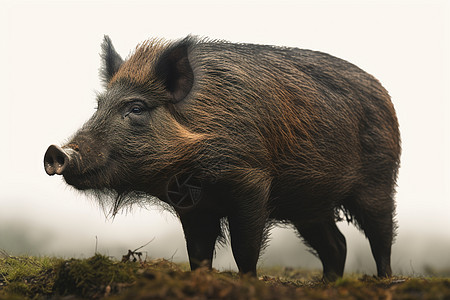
[[101, 277]]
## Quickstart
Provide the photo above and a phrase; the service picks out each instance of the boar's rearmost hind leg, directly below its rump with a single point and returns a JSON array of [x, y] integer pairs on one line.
[[373, 212]]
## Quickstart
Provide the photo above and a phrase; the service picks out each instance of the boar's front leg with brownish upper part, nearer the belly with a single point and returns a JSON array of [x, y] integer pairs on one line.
[[247, 221]]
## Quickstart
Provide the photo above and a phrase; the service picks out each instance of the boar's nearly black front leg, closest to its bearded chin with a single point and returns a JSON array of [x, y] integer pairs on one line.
[[201, 230]]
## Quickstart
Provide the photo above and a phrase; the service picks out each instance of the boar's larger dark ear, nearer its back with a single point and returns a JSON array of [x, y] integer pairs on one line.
[[174, 69]]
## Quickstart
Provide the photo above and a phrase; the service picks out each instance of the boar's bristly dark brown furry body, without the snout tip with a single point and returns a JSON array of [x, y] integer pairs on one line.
[[273, 134]]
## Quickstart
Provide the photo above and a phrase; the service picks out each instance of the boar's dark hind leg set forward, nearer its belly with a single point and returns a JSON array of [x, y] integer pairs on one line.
[[329, 244]]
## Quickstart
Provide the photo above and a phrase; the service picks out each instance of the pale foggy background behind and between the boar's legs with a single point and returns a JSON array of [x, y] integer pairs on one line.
[[49, 60]]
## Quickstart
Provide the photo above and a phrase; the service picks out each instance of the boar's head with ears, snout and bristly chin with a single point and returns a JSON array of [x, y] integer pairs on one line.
[[135, 141]]
